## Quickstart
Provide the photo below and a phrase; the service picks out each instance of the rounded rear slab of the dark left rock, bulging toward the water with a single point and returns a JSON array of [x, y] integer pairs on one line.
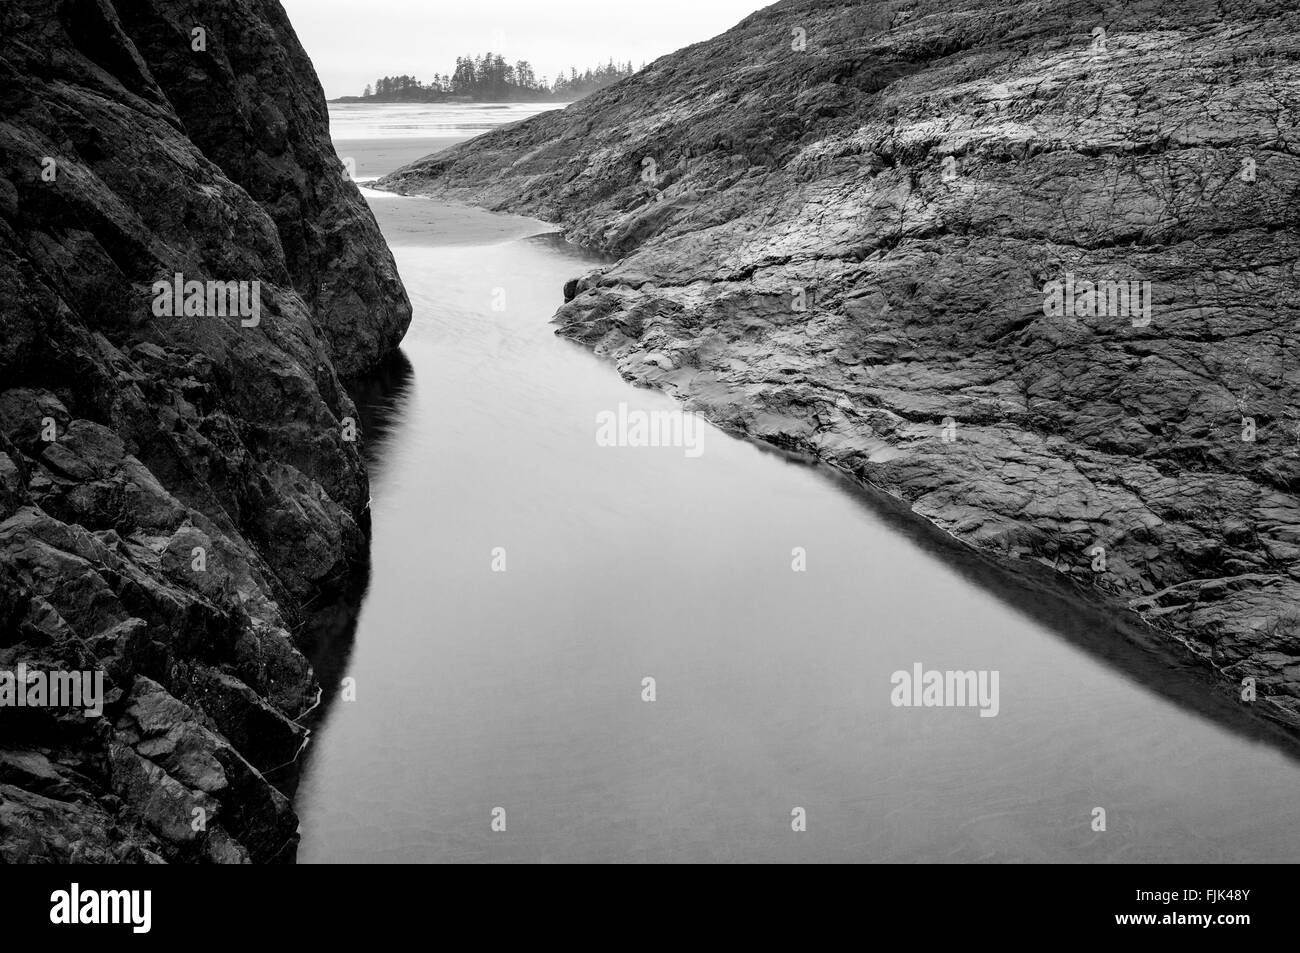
[[255, 109]]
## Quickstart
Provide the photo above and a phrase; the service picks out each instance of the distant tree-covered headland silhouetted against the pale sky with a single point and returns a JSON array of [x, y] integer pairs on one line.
[[489, 79]]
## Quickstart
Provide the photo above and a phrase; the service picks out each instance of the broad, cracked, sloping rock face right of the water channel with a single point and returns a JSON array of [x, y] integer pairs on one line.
[[840, 226]]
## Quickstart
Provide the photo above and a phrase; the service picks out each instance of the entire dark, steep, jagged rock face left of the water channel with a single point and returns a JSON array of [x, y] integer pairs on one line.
[[174, 486]]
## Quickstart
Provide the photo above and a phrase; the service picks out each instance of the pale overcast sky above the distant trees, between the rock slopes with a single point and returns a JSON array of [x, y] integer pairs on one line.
[[353, 42]]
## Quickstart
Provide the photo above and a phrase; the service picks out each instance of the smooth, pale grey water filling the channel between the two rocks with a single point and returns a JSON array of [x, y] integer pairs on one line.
[[522, 690]]
